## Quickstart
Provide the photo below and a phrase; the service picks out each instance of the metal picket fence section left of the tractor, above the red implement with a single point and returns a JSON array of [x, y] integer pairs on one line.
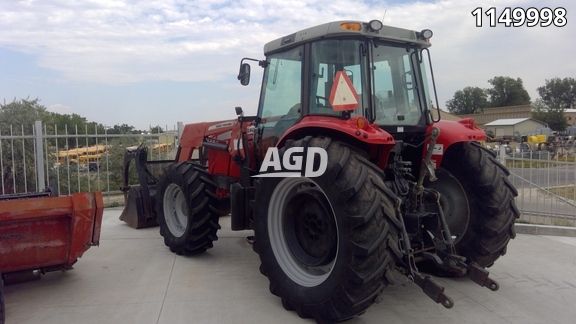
[[36, 157]]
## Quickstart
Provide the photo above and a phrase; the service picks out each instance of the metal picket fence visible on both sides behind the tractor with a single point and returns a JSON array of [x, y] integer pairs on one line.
[[36, 157]]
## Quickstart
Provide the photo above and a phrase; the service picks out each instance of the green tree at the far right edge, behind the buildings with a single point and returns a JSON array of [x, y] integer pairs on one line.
[[559, 93]]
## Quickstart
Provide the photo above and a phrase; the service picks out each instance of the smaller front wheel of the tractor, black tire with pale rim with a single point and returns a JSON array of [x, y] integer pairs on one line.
[[187, 209]]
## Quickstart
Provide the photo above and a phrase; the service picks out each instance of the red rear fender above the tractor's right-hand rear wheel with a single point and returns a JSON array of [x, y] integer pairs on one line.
[[453, 132]]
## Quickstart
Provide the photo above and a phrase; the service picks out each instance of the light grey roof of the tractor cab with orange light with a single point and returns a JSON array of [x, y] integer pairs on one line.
[[335, 29]]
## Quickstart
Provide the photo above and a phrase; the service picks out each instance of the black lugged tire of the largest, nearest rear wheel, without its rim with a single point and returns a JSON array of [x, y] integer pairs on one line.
[[370, 211]]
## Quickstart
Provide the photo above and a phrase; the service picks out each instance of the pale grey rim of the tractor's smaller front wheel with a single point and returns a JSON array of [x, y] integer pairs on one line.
[[175, 210]]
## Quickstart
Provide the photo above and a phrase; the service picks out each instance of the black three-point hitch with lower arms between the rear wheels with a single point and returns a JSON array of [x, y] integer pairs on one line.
[[424, 215]]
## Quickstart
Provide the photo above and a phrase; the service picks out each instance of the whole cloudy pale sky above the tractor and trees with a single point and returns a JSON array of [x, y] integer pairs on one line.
[[162, 61]]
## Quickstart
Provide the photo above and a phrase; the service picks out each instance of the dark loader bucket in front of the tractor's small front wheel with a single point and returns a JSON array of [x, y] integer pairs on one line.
[[139, 200]]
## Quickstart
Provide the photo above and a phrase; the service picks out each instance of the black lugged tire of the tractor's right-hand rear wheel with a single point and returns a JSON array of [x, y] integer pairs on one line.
[[490, 196]]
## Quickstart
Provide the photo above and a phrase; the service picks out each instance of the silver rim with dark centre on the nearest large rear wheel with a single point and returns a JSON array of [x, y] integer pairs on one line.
[[303, 231]]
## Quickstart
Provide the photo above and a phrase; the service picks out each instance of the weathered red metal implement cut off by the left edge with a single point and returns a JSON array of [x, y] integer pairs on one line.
[[48, 233]]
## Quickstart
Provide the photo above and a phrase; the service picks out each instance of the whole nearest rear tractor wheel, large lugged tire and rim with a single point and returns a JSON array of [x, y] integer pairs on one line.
[[327, 244]]
